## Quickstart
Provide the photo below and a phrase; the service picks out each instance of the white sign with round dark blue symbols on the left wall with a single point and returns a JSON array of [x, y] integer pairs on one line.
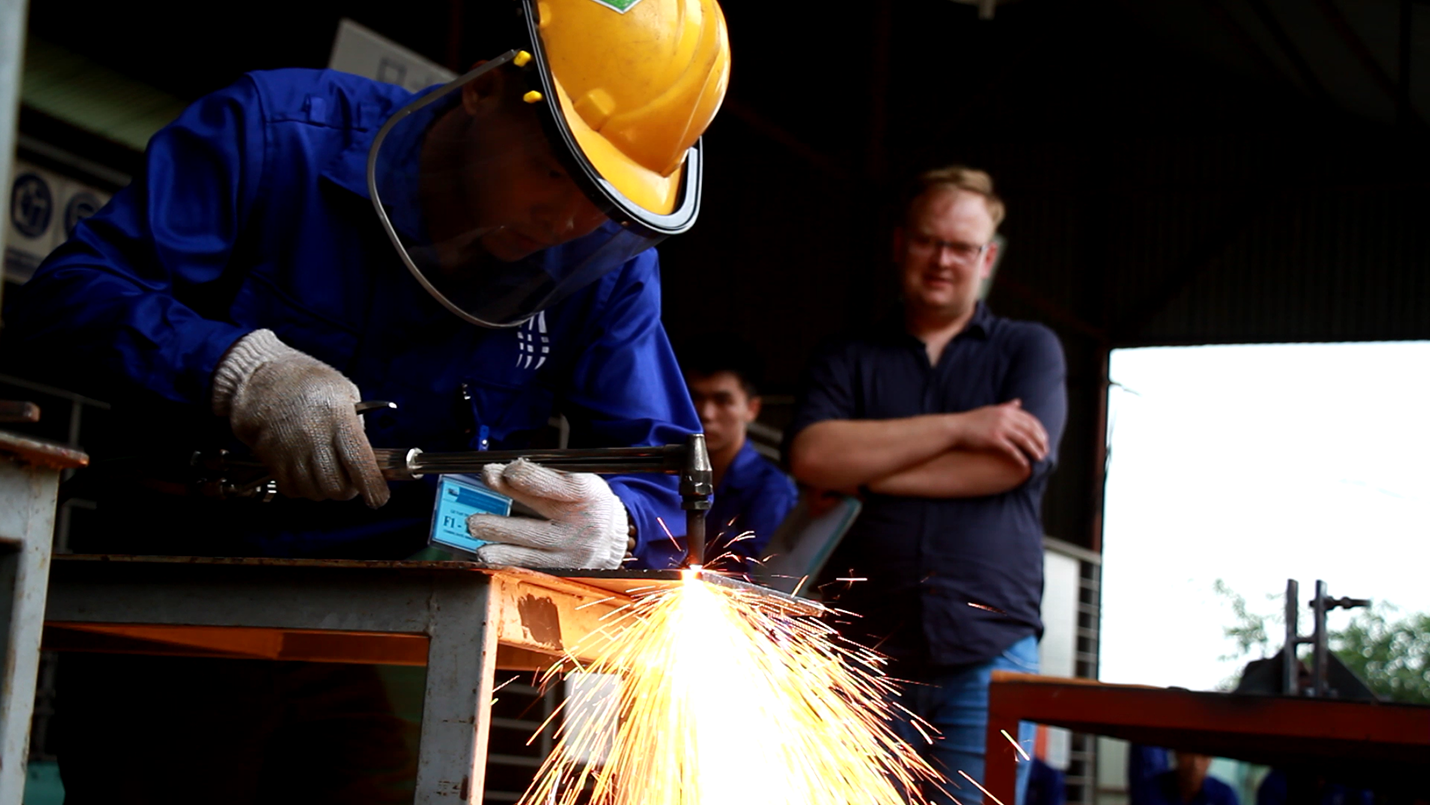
[[45, 207]]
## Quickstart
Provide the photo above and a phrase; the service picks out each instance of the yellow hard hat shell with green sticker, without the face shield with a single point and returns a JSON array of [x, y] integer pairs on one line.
[[637, 84]]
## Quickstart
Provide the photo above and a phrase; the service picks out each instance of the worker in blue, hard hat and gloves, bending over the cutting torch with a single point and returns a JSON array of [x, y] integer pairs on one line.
[[480, 254]]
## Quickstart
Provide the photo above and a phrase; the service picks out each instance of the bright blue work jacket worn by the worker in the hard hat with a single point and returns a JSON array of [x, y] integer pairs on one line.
[[254, 212]]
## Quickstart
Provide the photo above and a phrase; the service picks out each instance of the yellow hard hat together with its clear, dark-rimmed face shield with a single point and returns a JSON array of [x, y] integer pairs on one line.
[[617, 92]]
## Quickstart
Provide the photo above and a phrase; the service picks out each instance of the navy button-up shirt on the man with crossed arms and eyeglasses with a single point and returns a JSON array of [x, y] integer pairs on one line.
[[950, 581]]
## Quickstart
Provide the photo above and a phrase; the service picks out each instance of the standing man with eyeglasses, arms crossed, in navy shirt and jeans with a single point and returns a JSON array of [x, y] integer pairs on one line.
[[946, 420]]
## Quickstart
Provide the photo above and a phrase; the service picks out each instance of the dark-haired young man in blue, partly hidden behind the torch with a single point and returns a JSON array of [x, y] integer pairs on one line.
[[753, 495]]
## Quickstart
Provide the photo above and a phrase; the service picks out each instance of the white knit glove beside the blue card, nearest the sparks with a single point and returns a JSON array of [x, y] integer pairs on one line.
[[587, 525]]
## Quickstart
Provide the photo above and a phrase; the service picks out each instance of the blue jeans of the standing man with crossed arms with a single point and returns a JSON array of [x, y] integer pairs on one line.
[[956, 704]]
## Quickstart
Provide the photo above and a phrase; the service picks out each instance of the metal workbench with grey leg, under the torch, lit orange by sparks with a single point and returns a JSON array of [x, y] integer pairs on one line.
[[461, 620]]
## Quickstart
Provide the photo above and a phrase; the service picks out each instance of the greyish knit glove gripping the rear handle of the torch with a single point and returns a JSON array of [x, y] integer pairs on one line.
[[298, 417]]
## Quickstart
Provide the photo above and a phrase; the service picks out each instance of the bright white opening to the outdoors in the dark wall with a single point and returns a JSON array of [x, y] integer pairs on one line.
[[1258, 465]]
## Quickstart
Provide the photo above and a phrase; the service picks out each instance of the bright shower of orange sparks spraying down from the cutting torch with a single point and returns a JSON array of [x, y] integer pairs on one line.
[[812, 724]]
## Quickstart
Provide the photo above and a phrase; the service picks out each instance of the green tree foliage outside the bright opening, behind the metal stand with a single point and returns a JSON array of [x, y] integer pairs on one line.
[[1391, 654]]
